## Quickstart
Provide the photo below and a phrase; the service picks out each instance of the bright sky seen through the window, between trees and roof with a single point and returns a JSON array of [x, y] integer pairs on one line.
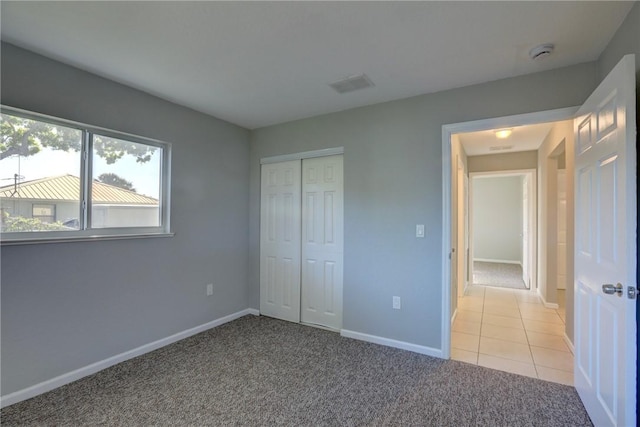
[[48, 163]]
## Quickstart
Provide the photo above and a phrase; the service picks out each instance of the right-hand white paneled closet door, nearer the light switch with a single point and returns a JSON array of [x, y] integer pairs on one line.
[[322, 241]]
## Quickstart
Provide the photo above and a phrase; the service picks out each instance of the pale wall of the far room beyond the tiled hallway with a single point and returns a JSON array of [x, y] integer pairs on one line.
[[497, 218]]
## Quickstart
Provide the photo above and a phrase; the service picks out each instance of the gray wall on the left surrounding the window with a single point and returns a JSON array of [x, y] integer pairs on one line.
[[65, 306]]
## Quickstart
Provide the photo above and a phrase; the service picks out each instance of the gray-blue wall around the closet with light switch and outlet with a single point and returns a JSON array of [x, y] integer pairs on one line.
[[393, 181]]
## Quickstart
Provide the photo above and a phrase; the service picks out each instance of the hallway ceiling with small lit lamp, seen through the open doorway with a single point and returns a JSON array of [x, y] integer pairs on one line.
[[522, 138]]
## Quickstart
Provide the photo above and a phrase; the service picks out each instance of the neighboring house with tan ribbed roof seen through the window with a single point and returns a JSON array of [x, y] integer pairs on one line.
[[56, 199]]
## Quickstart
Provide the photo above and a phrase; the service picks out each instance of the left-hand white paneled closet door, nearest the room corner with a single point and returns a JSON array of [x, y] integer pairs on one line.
[[280, 241]]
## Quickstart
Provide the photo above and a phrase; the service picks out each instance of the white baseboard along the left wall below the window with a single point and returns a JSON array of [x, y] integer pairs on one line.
[[69, 377]]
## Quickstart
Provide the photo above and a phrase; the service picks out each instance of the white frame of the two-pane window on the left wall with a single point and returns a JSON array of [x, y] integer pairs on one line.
[[85, 232]]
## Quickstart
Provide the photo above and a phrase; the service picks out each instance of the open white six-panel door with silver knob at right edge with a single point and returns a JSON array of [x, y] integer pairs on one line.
[[605, 324]]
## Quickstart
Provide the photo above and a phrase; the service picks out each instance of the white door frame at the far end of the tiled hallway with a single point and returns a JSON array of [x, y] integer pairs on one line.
[[531, 174]]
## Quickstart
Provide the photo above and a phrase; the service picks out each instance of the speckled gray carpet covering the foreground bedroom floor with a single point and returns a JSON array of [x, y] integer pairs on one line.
[[258, 371]]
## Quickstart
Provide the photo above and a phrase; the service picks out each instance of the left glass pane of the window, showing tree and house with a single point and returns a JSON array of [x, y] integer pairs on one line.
[[37, 160]]
